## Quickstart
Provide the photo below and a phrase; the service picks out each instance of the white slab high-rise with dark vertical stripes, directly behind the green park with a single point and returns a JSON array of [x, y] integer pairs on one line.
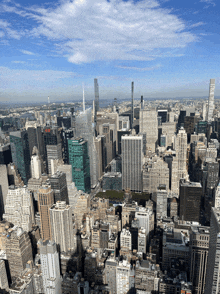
[[132, 162]]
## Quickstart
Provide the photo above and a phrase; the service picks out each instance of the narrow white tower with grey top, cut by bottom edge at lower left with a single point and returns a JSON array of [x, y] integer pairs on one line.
[[50, 267]]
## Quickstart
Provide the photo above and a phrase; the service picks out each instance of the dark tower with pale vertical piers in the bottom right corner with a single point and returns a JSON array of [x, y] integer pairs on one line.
[[199, 247]]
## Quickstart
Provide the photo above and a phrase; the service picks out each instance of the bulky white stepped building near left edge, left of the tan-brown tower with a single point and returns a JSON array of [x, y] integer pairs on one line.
[[19, 208]]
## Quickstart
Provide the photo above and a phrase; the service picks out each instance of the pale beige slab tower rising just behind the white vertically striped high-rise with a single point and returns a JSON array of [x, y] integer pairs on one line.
[[149, 126]]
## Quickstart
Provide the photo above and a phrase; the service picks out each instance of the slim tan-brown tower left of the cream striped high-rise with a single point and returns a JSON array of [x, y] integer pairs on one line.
[[45, 201]]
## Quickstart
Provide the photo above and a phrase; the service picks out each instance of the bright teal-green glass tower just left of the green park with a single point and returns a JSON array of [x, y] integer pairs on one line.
[[79, 159]]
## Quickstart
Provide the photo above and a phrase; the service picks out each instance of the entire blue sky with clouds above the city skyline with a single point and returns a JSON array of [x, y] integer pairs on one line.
[[169, 49]]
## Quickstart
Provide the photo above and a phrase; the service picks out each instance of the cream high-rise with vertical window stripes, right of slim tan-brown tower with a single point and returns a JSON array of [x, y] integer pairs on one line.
[[62, 226]]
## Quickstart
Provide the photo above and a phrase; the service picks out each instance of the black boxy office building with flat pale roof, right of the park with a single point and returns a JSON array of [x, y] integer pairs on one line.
[[190, 201]]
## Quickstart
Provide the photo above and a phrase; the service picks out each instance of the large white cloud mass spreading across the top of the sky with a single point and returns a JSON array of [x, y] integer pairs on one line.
[[94, 30]]
